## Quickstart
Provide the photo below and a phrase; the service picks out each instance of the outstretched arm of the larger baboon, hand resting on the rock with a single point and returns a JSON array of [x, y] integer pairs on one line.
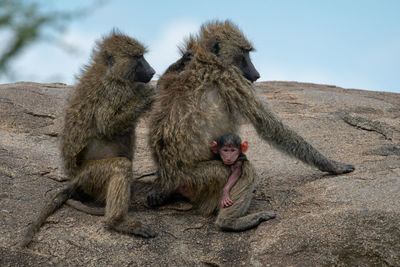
[[270, 127]]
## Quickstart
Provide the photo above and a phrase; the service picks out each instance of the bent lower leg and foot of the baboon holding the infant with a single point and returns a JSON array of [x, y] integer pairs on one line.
[[233, 218]]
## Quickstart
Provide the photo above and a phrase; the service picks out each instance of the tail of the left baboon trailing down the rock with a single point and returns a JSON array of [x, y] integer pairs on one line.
[[56, 201]]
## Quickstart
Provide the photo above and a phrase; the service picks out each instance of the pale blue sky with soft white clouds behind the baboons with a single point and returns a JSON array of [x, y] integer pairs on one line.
[[348, 43]]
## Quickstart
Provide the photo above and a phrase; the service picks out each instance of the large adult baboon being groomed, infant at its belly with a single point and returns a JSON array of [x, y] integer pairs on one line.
[[203, 101]]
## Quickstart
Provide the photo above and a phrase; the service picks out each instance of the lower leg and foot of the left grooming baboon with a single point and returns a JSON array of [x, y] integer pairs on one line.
[[117, 201]]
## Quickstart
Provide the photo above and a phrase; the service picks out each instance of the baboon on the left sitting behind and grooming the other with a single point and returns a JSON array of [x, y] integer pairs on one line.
[[99, 131]]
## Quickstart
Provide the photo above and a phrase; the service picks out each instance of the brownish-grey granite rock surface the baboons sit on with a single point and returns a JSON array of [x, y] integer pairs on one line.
[[322, 220]]
